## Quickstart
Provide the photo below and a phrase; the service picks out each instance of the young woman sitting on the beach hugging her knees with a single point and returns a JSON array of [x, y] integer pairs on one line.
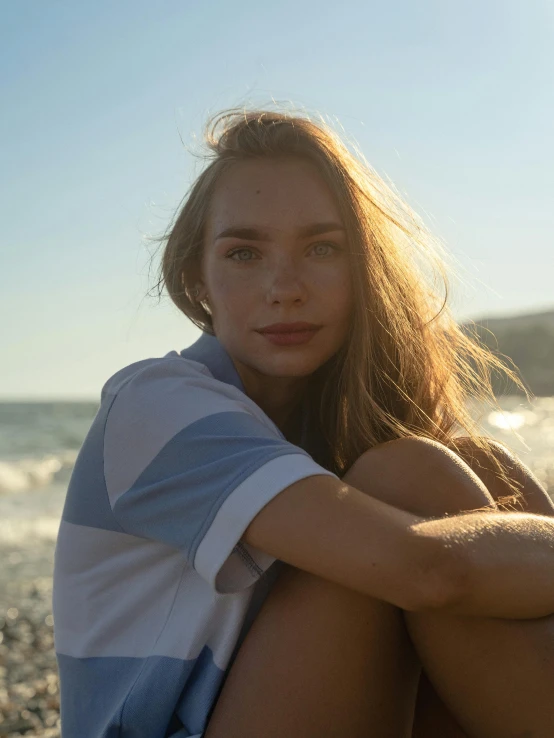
[[291, 527]]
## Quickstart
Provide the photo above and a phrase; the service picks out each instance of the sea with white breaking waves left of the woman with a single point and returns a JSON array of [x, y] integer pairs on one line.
[[39, 443]]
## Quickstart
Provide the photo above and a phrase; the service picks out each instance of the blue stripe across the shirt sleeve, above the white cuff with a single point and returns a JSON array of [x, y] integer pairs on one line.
[[178, 495]]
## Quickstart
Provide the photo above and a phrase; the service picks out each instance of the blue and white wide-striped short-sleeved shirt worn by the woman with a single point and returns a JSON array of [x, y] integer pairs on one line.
[[154, 590]]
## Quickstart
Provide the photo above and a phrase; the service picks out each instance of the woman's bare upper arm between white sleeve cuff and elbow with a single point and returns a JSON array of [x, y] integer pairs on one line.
[[328, 528]]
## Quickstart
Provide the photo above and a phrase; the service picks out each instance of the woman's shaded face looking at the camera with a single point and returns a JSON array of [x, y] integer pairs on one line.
[[261, 266]]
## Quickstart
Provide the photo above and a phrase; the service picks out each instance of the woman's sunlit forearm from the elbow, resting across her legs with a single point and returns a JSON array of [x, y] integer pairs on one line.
[[506, 559]]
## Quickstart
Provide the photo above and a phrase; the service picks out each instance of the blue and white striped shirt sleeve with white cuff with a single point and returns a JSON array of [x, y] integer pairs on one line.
[[189, 461]]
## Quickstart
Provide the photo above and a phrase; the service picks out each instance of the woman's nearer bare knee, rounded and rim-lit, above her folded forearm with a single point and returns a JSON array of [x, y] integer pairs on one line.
[[421, 476]]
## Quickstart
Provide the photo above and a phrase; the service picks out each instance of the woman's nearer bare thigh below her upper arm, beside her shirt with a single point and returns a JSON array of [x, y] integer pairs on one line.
[[320, 661]]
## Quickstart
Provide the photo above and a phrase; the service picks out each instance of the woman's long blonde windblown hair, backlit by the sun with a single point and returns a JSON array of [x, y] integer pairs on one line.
[[406, 368]]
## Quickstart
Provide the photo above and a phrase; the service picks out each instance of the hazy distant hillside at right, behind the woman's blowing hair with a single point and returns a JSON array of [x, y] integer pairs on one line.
[[529, 341]]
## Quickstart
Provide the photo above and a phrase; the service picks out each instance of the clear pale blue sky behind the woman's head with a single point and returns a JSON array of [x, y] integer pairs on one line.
[[103, 108]]
